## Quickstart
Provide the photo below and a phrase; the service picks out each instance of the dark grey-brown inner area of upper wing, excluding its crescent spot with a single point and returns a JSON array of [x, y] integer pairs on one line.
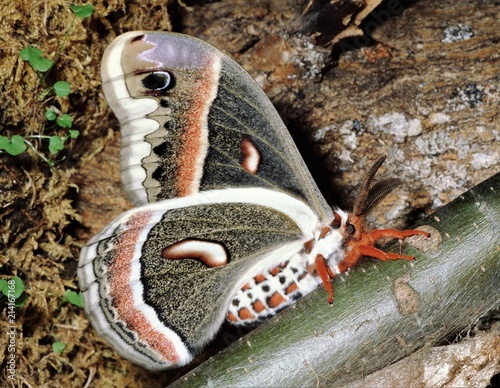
[[241, 113]]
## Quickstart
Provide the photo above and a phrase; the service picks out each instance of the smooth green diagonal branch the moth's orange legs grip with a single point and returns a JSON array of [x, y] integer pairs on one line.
[[382, 312]]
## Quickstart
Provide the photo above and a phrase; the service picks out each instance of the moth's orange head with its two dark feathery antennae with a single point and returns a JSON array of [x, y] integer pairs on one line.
[[369, 196]]
